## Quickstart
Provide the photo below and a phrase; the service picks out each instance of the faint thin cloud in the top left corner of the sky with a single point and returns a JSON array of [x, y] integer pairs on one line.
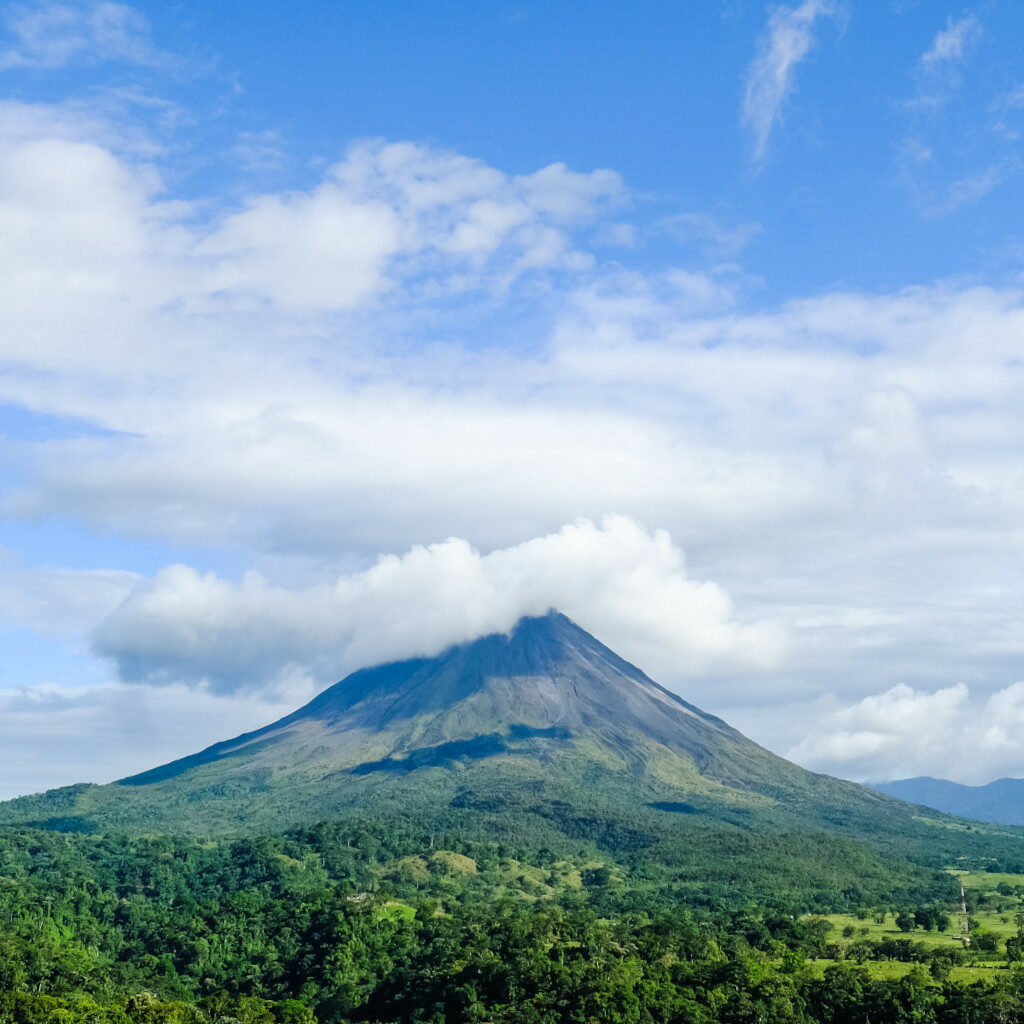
[[49, 35]]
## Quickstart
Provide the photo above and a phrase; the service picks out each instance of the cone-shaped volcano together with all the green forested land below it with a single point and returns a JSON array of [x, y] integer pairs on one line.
[[524, 830]]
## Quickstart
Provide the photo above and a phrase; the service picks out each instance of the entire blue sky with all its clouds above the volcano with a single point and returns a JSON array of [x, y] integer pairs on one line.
[[338, 332]]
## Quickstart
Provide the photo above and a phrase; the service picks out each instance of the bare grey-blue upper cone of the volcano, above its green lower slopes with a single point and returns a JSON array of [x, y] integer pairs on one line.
[[545, 688]]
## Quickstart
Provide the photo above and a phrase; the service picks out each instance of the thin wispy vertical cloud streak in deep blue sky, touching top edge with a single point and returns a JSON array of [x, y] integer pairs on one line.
[[788, 40]]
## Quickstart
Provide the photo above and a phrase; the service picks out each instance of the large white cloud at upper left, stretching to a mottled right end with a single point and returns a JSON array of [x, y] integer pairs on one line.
[[98, 262]]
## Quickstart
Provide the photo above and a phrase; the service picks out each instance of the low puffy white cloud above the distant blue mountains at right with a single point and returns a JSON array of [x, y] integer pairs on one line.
[[906, 732]]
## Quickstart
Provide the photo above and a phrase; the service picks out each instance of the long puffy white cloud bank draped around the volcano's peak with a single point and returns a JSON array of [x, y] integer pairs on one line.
[[623, 583]]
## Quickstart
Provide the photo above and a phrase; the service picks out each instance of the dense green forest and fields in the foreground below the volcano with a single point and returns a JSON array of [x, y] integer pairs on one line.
[[375, 922]]
